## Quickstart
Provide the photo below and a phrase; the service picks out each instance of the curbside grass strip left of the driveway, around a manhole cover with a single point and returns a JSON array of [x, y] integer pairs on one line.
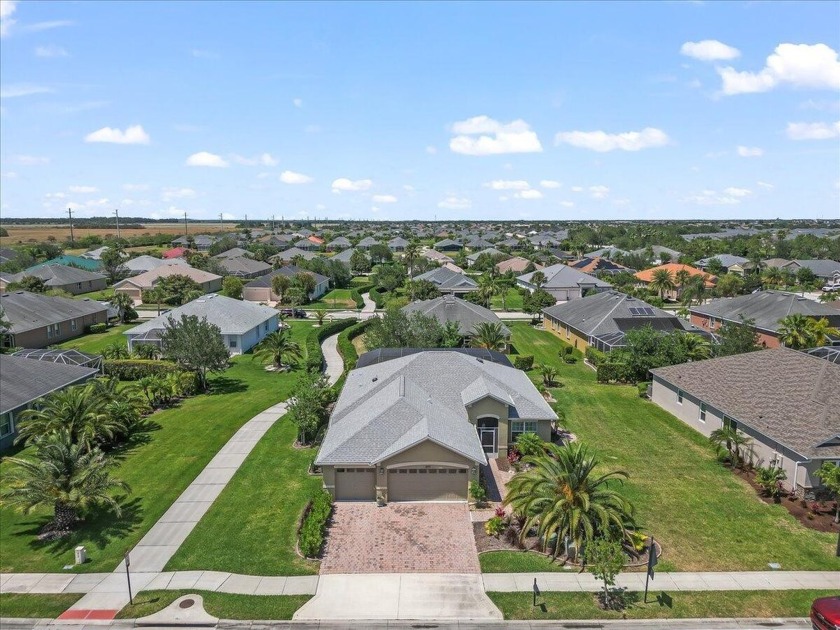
[[222, 605]]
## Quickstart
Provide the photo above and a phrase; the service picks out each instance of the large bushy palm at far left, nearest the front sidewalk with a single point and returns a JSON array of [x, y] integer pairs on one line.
[[65, 476]]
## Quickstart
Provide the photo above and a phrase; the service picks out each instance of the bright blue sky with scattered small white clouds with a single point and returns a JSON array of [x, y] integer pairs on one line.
[[421, 111]]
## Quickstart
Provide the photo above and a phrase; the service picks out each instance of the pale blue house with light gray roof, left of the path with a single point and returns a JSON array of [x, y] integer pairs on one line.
[[243, 324]]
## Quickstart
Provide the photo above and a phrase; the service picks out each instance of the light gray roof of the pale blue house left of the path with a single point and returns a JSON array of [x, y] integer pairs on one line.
[[234, 317]]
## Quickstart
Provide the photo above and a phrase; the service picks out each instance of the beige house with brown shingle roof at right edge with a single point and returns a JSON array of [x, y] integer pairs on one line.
[[784, 400]]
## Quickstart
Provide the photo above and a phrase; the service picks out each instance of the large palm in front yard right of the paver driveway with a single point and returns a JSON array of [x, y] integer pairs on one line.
[[562, 495]]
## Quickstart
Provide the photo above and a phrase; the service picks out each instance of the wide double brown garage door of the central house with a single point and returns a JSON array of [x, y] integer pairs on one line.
[[436, 483]]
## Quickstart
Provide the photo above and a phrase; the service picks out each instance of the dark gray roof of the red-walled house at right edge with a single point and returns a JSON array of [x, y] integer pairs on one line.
[[766, 308]]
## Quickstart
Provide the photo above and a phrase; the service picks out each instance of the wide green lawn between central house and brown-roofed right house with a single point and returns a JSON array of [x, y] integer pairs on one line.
[[705, 518]]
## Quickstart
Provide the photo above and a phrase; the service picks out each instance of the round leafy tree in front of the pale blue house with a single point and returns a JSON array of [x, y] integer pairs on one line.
[[196, 345]]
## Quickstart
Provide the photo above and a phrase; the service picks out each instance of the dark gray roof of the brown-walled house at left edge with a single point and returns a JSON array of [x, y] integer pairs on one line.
[[28, 311]]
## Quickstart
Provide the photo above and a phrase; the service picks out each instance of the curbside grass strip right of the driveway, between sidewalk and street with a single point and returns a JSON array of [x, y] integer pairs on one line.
[[674, 605]]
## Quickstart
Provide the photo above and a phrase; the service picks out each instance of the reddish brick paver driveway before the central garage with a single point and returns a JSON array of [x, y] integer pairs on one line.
[[400, 538]]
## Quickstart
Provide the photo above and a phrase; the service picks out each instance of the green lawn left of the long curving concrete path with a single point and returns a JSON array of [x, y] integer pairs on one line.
[[158, 467]]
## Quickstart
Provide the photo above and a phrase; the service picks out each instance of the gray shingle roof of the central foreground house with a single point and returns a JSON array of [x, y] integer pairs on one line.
[[388, 407]]
